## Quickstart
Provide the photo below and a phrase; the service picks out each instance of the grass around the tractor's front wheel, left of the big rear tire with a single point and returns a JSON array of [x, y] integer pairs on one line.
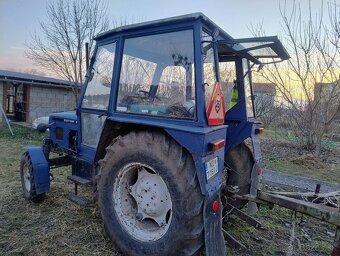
[[54, 227]]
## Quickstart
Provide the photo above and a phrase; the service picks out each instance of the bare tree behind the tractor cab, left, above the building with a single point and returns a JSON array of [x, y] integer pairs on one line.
[[60, 47]]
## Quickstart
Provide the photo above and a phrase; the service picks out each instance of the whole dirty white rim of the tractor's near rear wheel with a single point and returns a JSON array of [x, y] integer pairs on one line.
[[142, 202]]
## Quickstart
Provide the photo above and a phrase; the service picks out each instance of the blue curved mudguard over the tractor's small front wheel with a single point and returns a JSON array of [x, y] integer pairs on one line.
[[41, 169]]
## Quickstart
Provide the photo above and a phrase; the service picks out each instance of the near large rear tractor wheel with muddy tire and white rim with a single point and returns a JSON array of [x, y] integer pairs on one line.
[[149, 196]]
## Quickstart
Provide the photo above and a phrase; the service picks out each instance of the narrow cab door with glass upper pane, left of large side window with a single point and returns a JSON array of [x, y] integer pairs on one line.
[[93, 107]]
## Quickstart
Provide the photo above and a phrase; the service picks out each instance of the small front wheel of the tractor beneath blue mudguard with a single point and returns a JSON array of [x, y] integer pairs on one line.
[[27, 179]]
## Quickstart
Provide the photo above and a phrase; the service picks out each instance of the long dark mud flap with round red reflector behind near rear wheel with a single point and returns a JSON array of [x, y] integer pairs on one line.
[[214, 239]]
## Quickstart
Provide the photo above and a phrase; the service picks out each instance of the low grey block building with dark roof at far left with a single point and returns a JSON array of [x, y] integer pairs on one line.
[[25, 97]]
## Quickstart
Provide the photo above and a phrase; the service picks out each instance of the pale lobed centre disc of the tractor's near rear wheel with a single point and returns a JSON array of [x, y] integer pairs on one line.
[[152, 197]]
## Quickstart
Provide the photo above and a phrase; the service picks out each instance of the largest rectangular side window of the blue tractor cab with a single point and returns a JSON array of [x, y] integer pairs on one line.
[[157, 76]]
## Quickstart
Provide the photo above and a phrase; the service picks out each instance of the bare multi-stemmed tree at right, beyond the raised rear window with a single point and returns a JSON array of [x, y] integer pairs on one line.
[[304, 80]]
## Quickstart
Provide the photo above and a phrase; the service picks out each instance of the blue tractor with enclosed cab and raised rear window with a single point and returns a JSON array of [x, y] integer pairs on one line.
[[159, 133]]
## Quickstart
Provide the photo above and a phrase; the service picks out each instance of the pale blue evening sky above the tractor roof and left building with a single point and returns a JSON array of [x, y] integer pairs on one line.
[[19, 19]]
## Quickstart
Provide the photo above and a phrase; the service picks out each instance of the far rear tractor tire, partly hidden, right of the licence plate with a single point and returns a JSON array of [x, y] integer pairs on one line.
[[239, 163]]
